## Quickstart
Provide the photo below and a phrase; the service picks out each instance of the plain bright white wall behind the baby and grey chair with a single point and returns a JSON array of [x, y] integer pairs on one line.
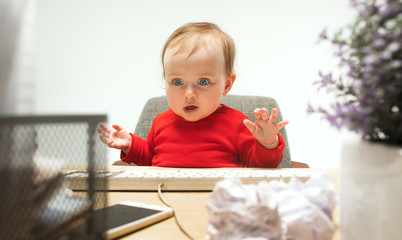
[[103, 56]]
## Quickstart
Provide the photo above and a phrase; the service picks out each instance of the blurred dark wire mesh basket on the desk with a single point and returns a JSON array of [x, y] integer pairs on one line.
[[35, 201]]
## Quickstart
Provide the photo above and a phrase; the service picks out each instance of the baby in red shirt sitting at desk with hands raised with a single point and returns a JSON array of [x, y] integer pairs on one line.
[[197, 130]]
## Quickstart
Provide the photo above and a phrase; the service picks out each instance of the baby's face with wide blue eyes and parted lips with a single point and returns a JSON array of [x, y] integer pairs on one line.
[[195, 84]]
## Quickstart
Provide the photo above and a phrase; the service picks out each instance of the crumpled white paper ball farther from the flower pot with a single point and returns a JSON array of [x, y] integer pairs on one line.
[[238, 211]]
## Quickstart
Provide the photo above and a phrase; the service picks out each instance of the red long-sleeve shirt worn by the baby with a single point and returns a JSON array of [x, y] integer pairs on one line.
[[219, 140]]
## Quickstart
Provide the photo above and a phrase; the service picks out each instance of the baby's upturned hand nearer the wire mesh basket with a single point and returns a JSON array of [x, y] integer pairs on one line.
[[115, 138]]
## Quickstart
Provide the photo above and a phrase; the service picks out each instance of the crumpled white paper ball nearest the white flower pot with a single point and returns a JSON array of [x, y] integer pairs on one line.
[[306, 208]]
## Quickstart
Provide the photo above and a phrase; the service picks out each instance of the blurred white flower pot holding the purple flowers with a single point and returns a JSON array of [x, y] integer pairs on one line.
[[371, 191]]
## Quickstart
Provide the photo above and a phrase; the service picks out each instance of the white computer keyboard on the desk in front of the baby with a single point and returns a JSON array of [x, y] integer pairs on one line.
[[185, 179]]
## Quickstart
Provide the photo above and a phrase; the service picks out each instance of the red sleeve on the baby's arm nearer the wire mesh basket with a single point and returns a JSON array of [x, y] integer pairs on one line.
[[139, 152]]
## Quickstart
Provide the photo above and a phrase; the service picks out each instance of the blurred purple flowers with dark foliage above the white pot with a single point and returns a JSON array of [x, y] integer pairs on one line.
[[369, 90]]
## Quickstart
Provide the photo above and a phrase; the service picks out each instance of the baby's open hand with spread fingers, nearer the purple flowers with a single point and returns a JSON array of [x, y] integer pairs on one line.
[[265, 129]]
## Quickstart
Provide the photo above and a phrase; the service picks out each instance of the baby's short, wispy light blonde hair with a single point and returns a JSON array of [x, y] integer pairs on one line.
[[198, 35]]
